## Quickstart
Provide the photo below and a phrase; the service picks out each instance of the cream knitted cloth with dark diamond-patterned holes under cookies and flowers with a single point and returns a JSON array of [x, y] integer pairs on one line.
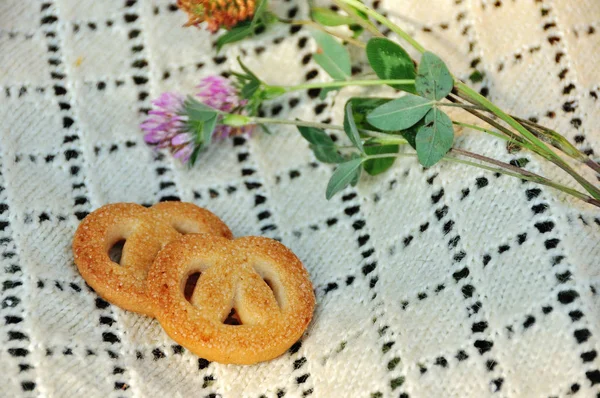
[[446, 282]]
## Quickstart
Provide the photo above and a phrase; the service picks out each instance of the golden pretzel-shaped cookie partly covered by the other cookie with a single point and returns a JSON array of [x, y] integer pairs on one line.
[[145, 232]]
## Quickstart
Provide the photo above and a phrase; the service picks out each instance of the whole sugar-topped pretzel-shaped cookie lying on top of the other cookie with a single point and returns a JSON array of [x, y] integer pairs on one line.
[[259, 278]]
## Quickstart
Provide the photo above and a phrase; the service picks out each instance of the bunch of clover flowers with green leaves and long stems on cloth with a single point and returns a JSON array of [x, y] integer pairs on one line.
[[413, 123]]
